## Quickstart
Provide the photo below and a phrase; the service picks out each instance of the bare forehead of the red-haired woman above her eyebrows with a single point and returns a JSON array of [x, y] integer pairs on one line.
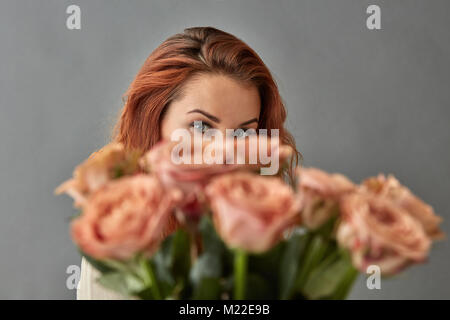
[[222, 96]]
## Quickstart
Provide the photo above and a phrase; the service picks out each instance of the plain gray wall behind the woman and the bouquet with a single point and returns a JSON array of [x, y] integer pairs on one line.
[[359, 102]]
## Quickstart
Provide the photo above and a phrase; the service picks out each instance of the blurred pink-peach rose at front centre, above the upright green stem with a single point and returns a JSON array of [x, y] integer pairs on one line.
[[251, 212]]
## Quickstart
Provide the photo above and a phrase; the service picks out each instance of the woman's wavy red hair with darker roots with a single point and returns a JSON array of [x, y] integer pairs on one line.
[[197, 50]]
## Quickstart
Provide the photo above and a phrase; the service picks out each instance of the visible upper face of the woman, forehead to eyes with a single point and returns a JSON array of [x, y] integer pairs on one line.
[[217, 101]]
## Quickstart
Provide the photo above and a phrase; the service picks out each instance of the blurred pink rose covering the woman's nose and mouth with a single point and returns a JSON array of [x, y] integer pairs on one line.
[[192, 177]]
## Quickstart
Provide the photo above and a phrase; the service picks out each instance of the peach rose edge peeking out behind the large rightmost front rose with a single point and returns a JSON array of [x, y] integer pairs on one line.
[[391, 188]]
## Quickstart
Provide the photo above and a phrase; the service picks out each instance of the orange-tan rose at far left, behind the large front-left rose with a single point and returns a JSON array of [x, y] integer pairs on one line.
[[110, 162]]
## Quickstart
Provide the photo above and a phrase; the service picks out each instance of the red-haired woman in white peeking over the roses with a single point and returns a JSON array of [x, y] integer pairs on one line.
[[200, 79]]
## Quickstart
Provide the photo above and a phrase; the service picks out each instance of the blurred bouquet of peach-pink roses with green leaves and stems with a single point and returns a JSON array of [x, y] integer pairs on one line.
[[160, 230]]
